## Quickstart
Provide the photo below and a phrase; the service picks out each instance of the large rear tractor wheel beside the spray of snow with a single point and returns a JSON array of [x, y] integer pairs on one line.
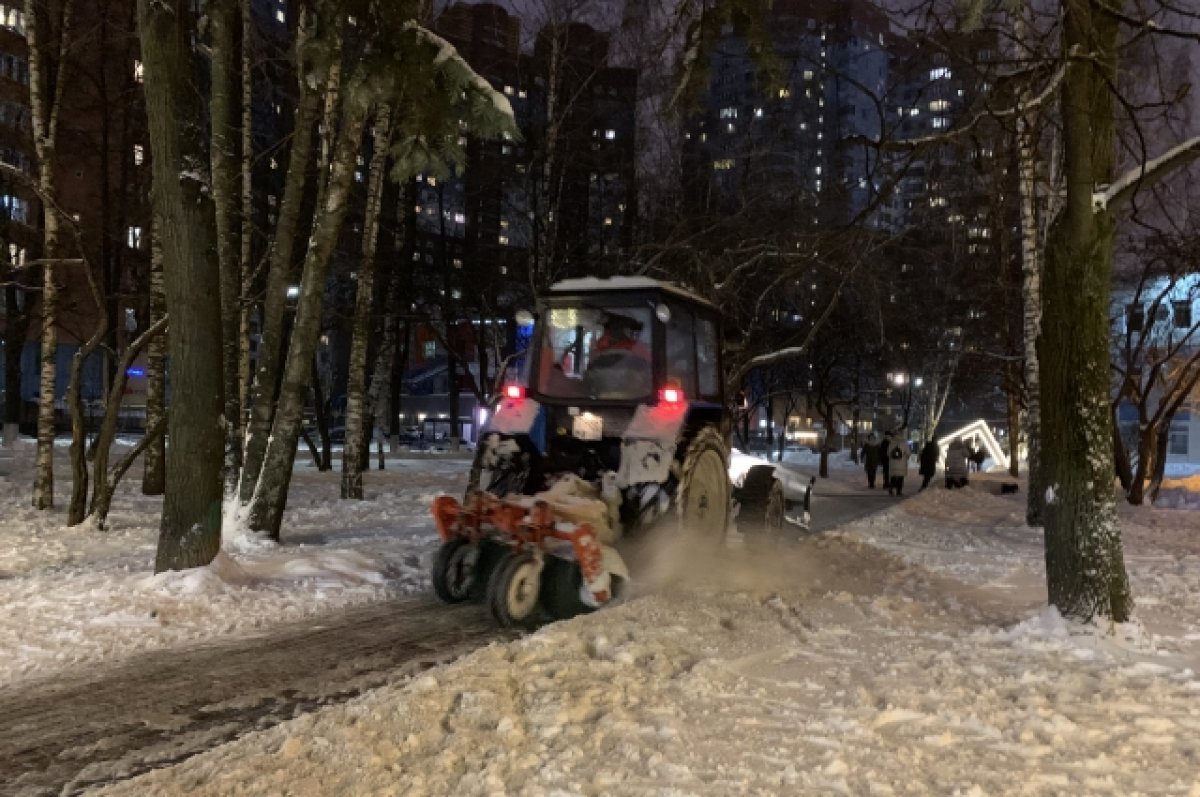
[[704, 498]]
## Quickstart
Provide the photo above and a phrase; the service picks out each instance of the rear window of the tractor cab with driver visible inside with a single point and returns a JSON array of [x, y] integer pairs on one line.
[[591, 352]]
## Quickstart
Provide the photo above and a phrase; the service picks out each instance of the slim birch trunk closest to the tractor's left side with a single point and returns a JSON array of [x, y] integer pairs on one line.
[[364, 301]]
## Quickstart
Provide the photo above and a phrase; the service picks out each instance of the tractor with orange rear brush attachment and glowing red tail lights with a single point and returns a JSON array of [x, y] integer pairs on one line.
[[621, 426]]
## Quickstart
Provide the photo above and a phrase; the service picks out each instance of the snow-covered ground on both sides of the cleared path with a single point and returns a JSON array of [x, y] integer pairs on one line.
[[909, 654]]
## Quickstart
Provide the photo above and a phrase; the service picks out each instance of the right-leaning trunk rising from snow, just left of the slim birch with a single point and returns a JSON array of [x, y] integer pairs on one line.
[[271, 494]]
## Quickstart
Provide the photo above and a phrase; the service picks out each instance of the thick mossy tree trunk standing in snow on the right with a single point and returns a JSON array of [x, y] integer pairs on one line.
[[1085, 565]]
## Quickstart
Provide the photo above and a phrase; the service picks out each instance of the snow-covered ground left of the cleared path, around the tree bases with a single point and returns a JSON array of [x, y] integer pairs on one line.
[[76, 597]]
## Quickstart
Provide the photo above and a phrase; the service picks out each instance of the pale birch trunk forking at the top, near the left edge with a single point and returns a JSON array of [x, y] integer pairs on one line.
[[45, 105]]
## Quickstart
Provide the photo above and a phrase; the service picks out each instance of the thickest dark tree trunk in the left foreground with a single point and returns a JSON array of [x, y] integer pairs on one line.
[[190, 535]]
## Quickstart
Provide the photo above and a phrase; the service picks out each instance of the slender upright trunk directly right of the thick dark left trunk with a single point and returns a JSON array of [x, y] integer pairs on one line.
[[224, 22]]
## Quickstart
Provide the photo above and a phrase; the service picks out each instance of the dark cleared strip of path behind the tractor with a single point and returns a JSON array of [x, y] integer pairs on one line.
[[68, 733]]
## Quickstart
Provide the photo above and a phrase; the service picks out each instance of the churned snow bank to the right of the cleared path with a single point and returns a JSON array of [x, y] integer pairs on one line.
[[908, 655]]
